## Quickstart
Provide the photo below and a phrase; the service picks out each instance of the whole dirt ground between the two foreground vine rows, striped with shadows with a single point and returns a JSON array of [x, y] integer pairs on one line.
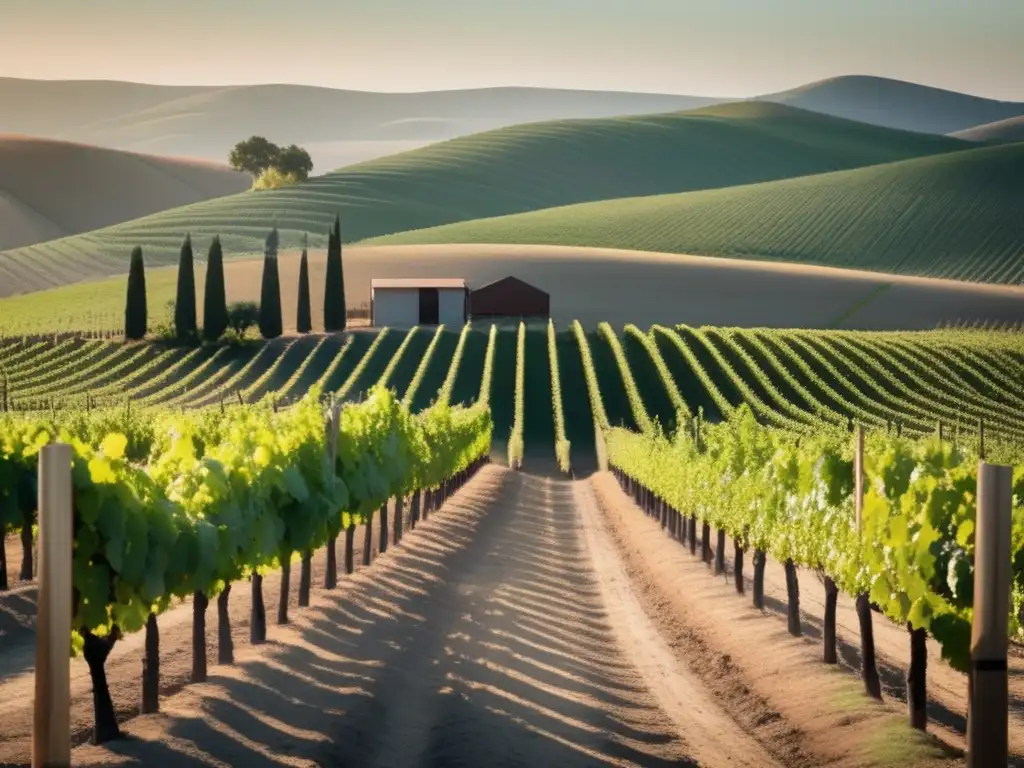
[[532, 622]]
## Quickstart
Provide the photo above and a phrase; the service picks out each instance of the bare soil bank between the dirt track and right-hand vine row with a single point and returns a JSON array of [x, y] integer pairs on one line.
[[771, 681]]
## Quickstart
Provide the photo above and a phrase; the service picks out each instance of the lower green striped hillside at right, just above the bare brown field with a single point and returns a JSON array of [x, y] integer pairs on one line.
[[956, 216]]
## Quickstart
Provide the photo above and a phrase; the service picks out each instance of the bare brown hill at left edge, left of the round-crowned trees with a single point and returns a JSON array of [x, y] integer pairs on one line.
[[51, 190]]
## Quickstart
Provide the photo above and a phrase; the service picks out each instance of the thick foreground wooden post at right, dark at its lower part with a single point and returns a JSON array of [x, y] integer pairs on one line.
[[988, 727]]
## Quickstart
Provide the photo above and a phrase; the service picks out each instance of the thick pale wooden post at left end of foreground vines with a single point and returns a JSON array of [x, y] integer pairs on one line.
[[52, 724]]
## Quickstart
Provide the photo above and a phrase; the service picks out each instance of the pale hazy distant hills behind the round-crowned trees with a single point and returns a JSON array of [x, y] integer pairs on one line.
[[338, 127]]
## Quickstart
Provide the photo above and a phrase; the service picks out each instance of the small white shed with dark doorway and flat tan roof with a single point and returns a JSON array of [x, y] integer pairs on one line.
[[418, 302]]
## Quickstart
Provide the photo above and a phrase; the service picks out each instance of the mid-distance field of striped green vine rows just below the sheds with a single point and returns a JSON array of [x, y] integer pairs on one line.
[[795, 379]]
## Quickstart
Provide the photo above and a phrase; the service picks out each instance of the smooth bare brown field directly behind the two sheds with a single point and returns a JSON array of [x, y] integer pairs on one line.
[[646, 288]]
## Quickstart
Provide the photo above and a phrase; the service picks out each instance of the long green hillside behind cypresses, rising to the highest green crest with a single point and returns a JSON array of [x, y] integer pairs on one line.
[[510, 170]]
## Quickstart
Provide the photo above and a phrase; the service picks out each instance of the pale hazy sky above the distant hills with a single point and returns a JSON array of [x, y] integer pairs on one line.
[[711, 48]]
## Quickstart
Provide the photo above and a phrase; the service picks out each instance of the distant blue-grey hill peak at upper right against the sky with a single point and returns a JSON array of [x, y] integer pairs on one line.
[[897, 104]]
